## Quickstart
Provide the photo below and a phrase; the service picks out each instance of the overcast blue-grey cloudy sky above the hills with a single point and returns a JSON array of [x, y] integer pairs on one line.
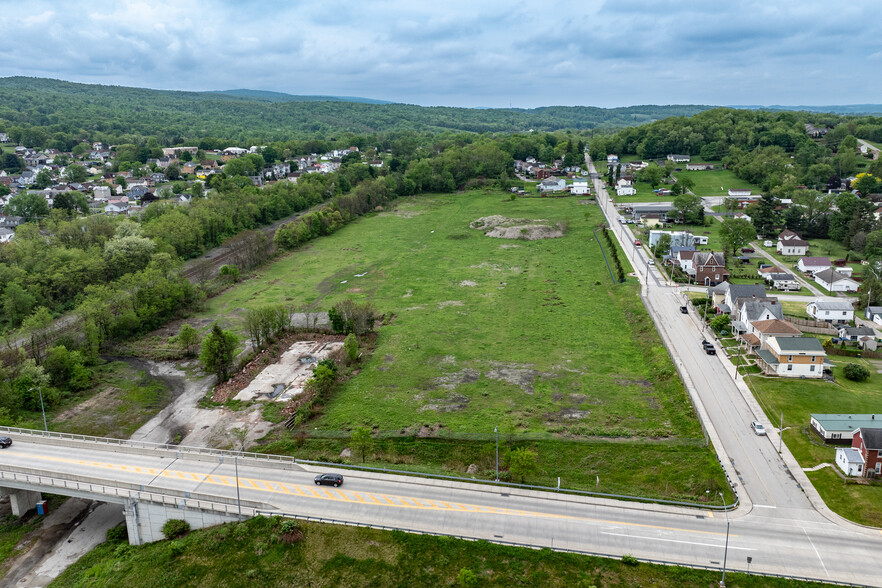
[[476, 53]]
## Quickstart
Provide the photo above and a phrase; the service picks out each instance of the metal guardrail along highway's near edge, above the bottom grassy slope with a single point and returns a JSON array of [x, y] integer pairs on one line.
[[324, 520]]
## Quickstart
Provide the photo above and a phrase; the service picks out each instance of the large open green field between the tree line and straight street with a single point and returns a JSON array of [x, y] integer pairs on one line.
[[529, 336]]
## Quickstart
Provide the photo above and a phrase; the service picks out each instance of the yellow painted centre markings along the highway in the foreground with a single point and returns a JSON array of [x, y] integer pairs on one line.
[[386, 500]]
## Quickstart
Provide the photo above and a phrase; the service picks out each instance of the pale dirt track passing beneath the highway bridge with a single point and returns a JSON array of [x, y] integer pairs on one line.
[[79, 525]]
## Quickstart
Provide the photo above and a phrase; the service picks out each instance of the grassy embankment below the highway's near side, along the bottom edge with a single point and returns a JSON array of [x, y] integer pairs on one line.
[[259, 553]]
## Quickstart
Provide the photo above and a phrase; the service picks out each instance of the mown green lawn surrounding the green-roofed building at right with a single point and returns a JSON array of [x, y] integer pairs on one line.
[[798, 399]]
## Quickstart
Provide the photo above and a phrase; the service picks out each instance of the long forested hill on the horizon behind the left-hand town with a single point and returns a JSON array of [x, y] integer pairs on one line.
[[120, 114]]
